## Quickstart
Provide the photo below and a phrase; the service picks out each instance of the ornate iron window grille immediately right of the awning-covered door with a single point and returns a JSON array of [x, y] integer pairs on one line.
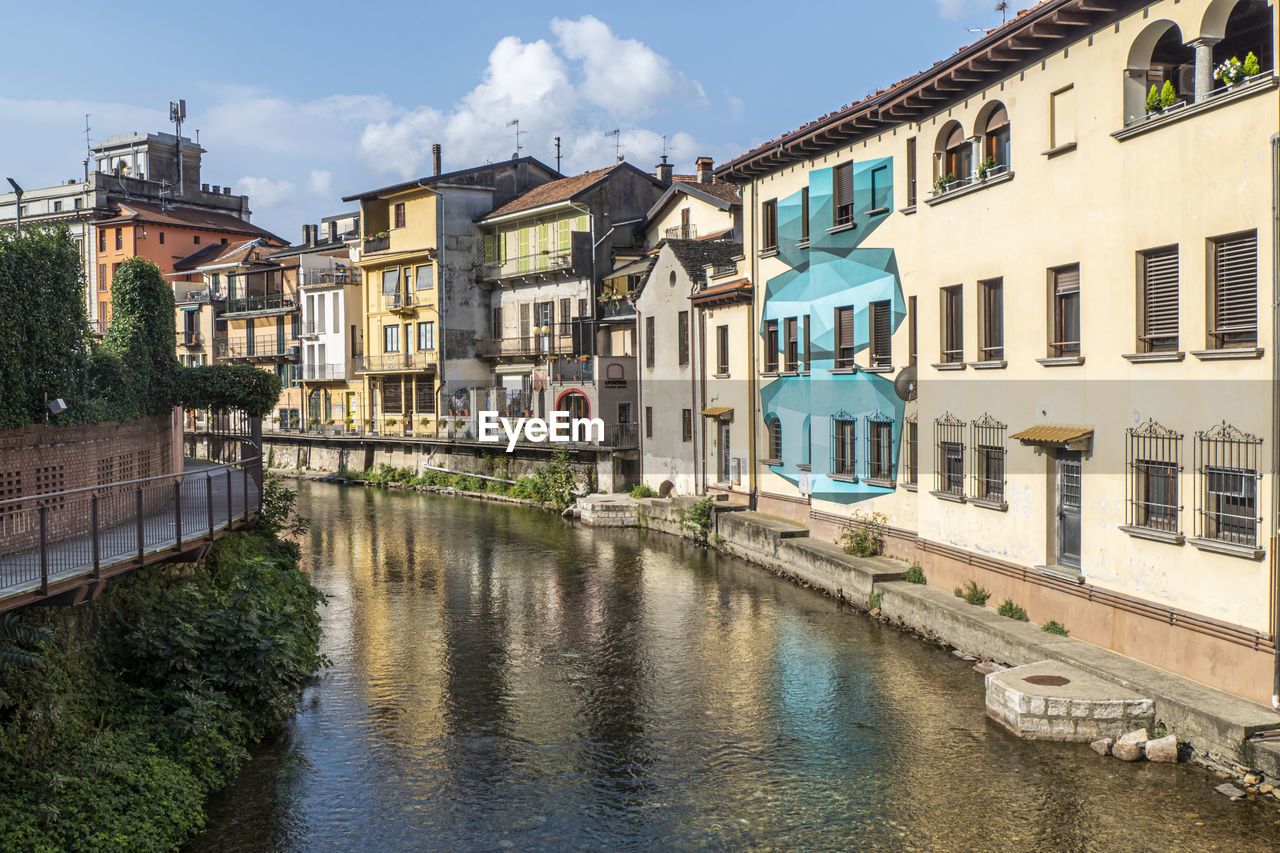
[[1154, 464]]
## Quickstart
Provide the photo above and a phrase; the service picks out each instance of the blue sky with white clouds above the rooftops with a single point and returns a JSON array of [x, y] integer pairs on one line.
[[300, 104]]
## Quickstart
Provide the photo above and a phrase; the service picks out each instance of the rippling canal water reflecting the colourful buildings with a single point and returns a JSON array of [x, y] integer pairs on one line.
[[502, 679]]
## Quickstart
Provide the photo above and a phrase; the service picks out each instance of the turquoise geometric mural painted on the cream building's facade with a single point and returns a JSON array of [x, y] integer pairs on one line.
[[834, 272]]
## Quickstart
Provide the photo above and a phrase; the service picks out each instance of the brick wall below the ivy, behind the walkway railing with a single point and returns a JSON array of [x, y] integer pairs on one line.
[[43, 459]]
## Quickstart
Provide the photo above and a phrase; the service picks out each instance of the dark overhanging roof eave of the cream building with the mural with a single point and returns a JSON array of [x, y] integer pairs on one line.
[[879, 108]]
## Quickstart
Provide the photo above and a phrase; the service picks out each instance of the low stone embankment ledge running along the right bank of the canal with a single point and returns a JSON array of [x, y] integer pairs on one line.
[[1219, 727]]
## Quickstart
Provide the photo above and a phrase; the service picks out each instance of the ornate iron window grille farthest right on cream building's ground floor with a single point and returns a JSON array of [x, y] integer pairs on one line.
[[1227, 503]]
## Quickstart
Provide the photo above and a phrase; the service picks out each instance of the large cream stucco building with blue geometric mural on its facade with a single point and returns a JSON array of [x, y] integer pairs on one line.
[[1084, 291]]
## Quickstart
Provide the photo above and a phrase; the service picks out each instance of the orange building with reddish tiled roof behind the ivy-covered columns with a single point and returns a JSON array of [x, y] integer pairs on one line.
[[162, 235]]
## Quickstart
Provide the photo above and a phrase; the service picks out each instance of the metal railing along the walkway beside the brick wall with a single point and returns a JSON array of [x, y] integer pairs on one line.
[[58, 537]]
